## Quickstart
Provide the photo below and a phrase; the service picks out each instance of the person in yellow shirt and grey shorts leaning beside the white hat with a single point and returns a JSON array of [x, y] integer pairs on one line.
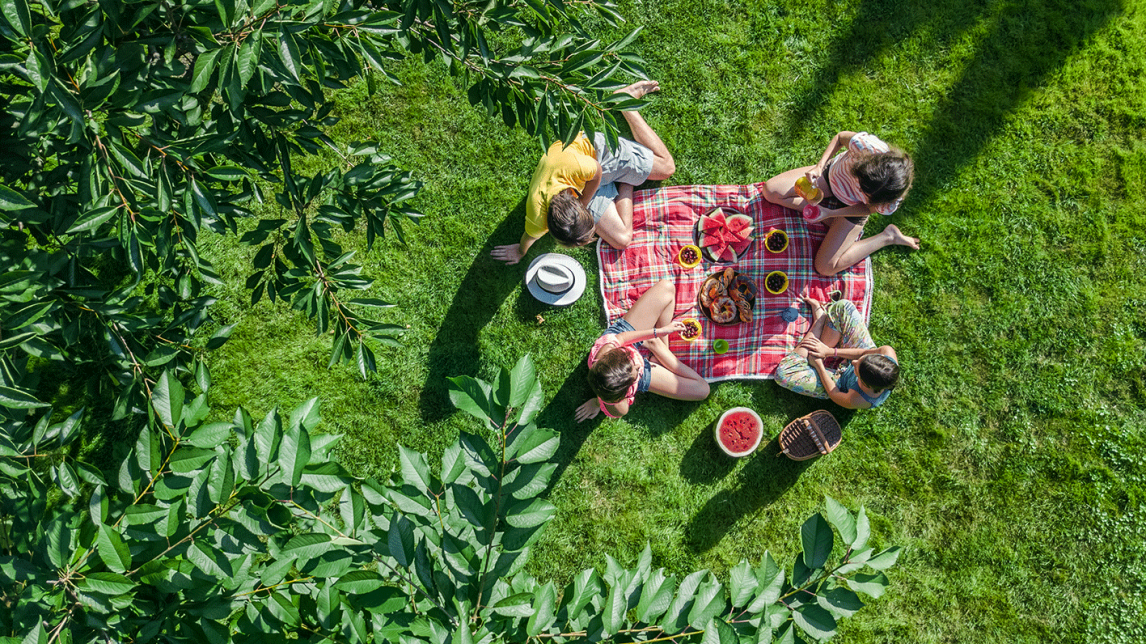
[[586, 190]]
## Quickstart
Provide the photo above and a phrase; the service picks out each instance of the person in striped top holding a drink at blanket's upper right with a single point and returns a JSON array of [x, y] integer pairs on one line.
[[868, 176]]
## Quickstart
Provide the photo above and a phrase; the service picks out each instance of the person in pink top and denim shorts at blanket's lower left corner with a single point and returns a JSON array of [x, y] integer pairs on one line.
[[618, 373]]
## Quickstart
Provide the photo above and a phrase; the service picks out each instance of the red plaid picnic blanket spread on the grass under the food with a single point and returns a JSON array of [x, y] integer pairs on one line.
[[665, 219]]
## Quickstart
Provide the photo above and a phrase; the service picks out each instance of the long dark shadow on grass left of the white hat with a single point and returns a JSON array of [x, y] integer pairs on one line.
[[488, 284]]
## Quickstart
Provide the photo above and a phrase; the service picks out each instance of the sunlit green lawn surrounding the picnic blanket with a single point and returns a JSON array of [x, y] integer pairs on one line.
[[1010, 460]]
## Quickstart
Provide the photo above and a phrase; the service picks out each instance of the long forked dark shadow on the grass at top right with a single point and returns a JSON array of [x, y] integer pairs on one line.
[[1025, 42]]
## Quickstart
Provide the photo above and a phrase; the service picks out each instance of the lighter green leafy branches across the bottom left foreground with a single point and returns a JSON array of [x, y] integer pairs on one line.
[[247, 532]]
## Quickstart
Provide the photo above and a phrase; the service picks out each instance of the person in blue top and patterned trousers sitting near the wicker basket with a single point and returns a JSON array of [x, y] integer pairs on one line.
[[872, 372]]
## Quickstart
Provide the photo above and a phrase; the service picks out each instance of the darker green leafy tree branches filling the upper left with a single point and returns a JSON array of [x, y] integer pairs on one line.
[[132, 131]]
